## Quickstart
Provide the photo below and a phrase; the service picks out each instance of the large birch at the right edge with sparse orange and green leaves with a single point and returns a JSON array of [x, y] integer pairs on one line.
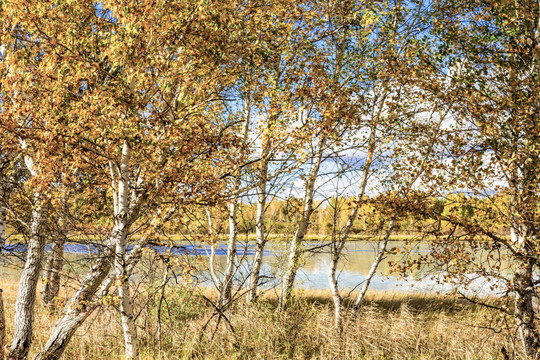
[[489, 52]]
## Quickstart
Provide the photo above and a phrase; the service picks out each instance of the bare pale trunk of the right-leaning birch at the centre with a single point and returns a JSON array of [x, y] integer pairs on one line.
[[295, 250]]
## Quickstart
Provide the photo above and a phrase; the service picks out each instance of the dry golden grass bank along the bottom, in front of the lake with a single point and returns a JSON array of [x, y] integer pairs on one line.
[[390, 326]]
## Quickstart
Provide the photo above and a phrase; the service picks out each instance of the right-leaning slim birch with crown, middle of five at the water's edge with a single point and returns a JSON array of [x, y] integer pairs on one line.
[[335, 100]]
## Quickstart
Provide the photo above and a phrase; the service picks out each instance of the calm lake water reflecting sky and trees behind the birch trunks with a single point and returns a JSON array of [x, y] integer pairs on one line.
[[357, 259]]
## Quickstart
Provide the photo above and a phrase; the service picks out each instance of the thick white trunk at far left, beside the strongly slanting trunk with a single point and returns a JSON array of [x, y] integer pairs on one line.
[[26, 295]]
